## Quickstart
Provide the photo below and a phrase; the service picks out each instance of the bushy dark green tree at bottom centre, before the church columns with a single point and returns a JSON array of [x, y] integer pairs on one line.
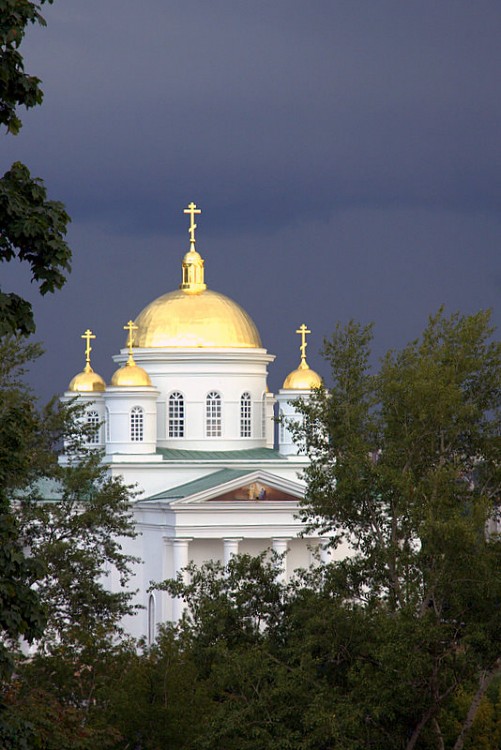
[[272, 659]]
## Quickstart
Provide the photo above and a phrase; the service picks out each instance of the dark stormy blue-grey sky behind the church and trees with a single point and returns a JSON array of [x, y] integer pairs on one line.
[[346, 156]]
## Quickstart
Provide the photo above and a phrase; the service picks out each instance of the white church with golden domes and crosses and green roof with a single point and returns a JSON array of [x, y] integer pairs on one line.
[[188, 418]]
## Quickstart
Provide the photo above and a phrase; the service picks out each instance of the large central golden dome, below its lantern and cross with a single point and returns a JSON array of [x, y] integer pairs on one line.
[[185, 318]]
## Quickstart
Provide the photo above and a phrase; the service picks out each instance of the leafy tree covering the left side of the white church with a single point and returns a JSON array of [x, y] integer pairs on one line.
[[71, 517]]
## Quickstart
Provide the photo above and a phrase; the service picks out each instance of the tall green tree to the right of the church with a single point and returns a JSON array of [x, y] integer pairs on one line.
[[406, 468]]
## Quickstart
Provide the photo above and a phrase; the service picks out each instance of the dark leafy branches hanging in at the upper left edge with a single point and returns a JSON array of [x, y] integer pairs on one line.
[[32, 228]]
